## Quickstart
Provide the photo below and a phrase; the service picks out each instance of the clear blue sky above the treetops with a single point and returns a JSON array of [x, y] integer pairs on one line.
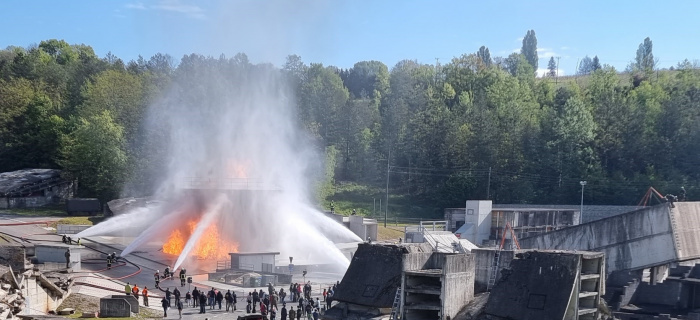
[[343, 32]]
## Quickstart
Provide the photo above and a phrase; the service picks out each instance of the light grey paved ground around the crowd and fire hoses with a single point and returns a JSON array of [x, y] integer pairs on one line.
[[95, 280]]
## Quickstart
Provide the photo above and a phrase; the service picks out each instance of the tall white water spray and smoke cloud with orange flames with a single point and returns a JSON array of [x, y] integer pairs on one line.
[[234, 128]]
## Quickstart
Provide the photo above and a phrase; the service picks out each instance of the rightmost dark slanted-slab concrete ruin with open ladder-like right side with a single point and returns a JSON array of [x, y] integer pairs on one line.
[[549, 285]]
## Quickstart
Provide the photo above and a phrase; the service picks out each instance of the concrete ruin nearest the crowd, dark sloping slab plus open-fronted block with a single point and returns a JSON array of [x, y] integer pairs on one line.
[[429, 284]]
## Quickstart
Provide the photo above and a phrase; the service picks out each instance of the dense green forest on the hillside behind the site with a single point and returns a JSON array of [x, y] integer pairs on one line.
[[475, 127]]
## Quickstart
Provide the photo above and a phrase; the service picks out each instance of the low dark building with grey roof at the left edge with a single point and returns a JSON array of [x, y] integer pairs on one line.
[[31, 188]]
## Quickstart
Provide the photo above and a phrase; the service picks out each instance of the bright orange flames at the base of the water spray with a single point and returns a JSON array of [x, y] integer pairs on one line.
[[209, 246]]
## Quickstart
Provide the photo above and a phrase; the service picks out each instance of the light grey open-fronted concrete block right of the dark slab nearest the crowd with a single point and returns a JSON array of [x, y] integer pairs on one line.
[[435, 285]]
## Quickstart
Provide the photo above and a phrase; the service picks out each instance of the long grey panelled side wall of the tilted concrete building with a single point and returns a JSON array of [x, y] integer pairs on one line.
[[634, 240]]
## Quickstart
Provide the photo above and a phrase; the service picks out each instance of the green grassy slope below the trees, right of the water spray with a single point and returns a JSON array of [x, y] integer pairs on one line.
[[366, 200]]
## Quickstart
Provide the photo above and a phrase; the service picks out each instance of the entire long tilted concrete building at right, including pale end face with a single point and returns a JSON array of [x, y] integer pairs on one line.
[[652, 237]]
